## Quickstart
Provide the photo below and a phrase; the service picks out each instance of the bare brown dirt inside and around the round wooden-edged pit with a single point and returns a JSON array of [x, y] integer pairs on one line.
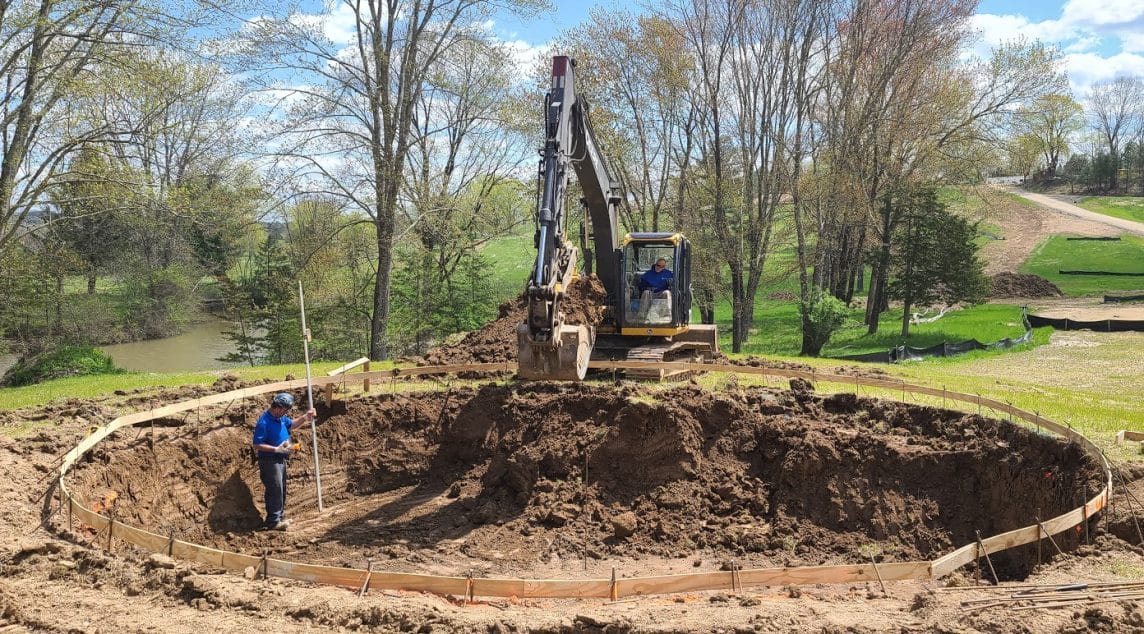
[[495, 487]]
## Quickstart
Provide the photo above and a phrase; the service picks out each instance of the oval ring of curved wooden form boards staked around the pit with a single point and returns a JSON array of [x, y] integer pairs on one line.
[[109, 529]]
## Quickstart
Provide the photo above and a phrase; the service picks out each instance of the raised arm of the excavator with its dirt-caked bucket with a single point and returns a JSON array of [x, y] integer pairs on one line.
[[549, 347]]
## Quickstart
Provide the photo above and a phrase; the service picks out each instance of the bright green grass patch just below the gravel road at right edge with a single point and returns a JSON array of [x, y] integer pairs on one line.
[[1058, 253]]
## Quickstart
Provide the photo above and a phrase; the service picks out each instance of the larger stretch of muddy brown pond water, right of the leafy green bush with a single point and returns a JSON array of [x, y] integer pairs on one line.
[[196, 350]]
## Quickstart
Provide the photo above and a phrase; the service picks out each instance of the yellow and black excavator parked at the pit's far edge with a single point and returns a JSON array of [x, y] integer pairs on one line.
[[639, 324]]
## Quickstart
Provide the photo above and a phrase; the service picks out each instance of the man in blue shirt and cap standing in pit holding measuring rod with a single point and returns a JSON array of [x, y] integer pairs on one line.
[[274, 447]]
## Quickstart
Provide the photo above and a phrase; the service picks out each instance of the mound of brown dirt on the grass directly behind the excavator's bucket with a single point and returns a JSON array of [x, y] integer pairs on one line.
[[496, 342]]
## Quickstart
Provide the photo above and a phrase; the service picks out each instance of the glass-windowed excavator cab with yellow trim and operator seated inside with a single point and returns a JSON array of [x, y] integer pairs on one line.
[[656, 302]]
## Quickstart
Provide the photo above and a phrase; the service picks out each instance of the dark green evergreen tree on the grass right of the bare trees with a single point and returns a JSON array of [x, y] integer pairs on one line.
[[936, 258]]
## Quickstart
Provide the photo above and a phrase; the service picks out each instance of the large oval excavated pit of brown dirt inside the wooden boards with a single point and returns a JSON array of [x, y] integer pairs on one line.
[[547, 480]]
